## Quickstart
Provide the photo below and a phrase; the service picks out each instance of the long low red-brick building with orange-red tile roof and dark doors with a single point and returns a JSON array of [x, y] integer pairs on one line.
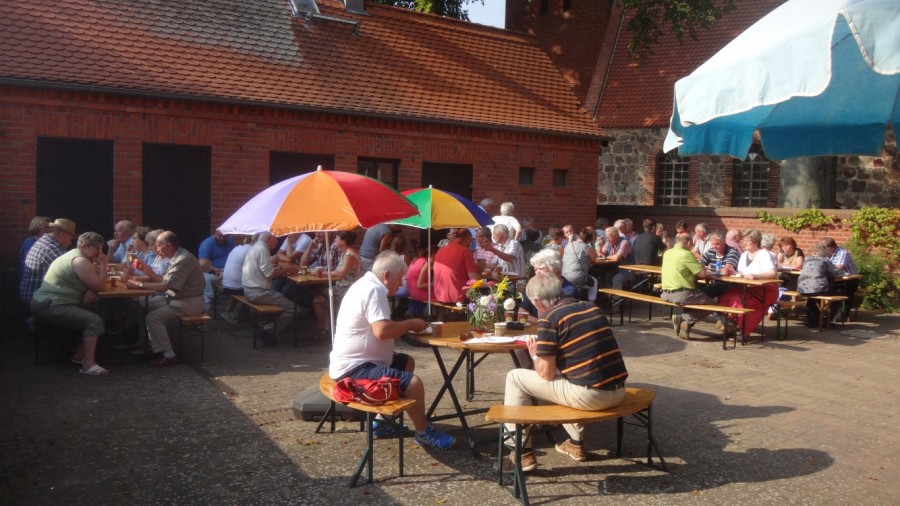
[[174, 113]]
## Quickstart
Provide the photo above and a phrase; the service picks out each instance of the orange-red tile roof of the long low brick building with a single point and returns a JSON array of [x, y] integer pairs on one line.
[[403, 64]]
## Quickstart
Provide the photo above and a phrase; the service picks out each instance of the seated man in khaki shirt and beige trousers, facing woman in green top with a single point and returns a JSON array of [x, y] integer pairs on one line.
[[180, 293]]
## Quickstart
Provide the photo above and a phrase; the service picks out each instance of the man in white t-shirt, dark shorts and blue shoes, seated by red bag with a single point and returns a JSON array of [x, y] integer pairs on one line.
[[364, 342]]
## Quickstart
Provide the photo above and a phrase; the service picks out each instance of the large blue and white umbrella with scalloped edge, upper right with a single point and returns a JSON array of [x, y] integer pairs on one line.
[[814, 77]]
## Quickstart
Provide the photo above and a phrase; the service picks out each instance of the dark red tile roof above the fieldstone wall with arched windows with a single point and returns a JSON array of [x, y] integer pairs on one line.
[[642, 95]]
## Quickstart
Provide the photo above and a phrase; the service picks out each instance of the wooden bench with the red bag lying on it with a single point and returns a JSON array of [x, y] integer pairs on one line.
[[388, 410]]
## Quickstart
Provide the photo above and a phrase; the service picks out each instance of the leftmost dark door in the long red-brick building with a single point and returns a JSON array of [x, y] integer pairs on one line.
[[75, 181]]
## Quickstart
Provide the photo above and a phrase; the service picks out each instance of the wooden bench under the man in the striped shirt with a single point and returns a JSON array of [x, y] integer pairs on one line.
[[638, 403]]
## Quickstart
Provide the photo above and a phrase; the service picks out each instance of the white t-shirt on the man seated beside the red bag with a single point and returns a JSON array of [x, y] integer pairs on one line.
[[365, 302]]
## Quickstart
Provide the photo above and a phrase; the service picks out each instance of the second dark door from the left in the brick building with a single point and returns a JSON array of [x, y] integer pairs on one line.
[[177, 191]]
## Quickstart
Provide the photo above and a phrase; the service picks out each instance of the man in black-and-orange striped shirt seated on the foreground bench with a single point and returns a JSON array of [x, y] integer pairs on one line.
[[574, 338]]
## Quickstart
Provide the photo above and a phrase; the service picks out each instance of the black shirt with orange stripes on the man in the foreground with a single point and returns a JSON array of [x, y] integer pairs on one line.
[[580, 337]]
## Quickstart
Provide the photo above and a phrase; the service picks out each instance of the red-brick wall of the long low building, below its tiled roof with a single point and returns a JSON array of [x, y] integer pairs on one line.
[[241, 138]]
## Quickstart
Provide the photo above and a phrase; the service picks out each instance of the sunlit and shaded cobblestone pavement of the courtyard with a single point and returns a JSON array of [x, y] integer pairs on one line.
[[809, 420]]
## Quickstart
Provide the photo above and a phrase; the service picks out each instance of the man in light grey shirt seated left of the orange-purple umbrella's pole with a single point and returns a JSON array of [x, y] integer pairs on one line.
[[257, 274]]
